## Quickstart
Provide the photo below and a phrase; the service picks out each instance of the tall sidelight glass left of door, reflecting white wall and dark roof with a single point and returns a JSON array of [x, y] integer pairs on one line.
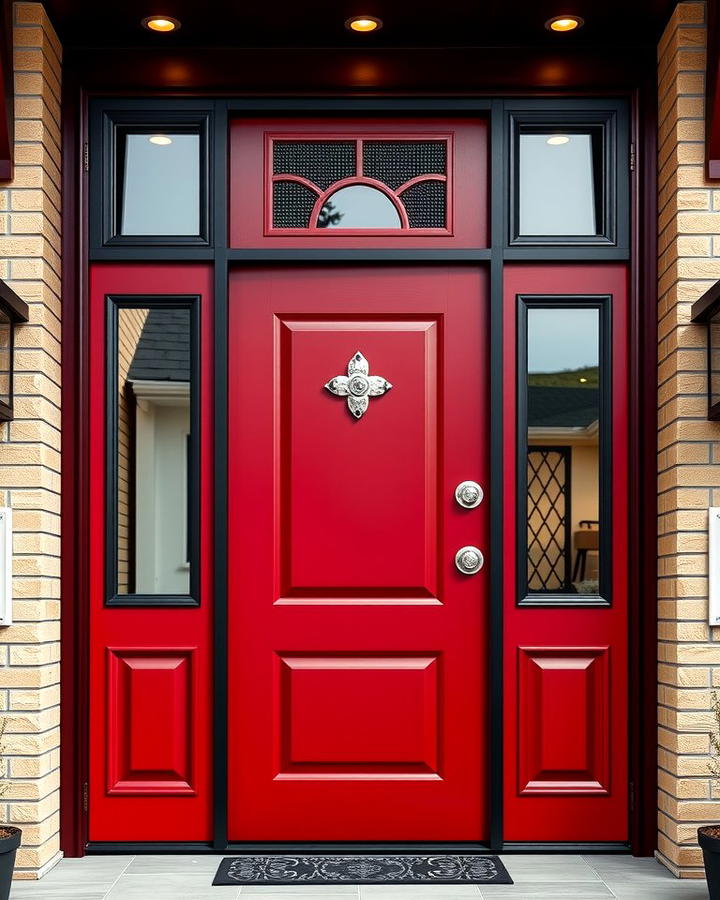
[[153, 420]]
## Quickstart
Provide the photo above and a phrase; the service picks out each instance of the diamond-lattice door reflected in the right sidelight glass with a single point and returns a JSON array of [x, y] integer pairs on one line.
[[548, 519]]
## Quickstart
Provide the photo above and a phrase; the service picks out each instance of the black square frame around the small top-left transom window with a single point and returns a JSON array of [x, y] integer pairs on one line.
[[109, 120]]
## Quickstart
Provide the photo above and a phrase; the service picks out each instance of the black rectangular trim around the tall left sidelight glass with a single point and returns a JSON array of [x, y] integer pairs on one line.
[[115, 302]]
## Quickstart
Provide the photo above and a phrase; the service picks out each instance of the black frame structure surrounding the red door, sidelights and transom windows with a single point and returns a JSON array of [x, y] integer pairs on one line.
[[500, 112]]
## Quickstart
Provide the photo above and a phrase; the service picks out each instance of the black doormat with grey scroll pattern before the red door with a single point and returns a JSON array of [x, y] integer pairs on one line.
[[362, 870]]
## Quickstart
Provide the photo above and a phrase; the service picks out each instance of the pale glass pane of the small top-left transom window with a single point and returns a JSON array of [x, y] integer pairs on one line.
[[160, 181]]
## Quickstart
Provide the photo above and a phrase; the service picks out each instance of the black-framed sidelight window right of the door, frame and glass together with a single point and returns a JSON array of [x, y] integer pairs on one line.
[[564, 450]]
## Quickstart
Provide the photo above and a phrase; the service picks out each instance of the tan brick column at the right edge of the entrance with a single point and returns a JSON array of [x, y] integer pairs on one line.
[[689, 447]]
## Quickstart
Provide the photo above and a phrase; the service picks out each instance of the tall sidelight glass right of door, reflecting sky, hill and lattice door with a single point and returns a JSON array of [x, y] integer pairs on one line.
[[563, 474]]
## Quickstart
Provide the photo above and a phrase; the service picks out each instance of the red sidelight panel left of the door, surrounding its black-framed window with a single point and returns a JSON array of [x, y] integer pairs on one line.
[[150, 668]]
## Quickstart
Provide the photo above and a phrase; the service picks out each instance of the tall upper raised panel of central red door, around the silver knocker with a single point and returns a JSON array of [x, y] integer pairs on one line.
[[343, 499]]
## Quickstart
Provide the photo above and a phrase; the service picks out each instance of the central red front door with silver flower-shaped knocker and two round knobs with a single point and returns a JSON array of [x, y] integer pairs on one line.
[[357, 650]]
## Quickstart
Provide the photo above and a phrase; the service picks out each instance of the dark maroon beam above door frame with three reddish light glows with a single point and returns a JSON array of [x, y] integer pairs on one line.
[[379, 71]]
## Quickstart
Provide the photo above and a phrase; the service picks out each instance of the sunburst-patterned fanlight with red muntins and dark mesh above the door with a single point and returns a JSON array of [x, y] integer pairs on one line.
[[380, 185]]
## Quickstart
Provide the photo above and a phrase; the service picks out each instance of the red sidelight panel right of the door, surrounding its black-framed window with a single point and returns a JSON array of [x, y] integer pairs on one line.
[[566, 665]]
